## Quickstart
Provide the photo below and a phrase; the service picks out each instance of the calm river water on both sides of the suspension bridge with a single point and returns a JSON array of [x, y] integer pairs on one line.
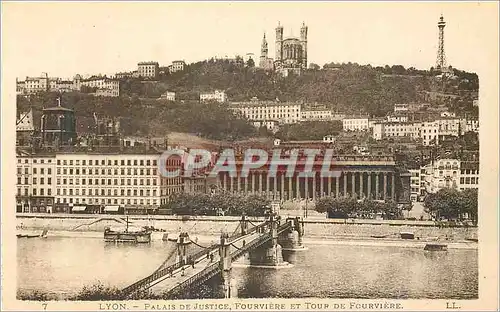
[[62, 266]]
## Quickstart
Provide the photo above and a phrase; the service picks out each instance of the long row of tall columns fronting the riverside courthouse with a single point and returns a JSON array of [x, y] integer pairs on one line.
[[378, 185]]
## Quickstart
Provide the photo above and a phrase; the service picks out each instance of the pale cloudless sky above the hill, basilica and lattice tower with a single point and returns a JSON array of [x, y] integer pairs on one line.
[[63, 39]]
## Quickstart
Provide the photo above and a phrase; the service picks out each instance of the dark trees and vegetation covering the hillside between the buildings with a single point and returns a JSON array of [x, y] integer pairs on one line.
[[349, 88]]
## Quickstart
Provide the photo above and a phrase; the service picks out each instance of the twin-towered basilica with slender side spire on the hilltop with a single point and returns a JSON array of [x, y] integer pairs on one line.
[[290, 53]]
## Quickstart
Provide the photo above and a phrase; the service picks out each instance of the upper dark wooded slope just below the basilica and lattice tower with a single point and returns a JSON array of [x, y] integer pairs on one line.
[[346, 87]]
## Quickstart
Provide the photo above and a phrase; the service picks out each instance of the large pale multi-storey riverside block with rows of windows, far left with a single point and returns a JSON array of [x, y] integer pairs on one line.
[[129, 178]]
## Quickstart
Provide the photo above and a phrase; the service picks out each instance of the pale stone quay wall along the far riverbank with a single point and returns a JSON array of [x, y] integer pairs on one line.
[[318, 228]]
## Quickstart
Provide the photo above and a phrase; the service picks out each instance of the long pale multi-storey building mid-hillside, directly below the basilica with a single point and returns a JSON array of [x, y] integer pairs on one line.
[[262, 111]]
